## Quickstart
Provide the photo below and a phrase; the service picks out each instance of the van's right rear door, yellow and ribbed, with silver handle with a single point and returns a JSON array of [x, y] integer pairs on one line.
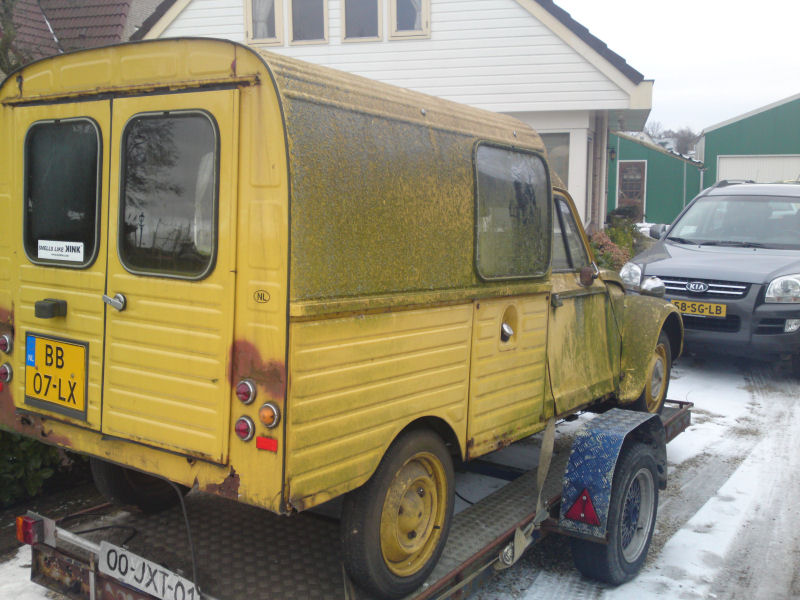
[[171, 269]]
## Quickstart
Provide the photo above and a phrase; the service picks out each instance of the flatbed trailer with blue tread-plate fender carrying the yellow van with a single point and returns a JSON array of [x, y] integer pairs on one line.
[[212, 548]]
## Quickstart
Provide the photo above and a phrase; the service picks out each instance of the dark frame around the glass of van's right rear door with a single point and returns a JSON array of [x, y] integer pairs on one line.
[[120, 197]]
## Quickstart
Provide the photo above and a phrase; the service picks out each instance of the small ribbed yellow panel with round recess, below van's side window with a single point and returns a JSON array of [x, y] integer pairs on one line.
[[508, 378]]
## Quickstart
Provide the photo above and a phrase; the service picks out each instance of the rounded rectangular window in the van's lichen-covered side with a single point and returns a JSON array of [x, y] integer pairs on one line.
[[513, 219]]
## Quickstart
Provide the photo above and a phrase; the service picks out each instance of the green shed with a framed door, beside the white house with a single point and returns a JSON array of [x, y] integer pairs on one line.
[[649, 181]]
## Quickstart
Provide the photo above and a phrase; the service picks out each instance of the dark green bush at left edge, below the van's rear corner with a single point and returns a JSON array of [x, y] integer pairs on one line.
[[25, 465]]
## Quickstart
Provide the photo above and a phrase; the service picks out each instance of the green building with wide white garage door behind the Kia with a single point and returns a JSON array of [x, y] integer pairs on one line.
[[762, 145]]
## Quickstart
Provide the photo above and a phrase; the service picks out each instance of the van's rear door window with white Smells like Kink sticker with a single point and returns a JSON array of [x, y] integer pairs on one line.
[[62, 192]]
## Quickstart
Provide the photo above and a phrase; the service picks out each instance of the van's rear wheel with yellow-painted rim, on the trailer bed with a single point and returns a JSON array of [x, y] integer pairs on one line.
[[394, 527]]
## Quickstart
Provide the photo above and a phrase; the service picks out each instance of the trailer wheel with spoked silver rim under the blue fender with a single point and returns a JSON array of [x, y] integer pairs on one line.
[[631, 521]]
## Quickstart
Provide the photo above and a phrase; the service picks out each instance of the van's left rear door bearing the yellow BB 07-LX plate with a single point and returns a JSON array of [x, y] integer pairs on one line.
[[61, 272]]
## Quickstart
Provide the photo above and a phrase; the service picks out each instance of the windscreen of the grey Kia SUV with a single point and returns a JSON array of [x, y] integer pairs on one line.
[[772, 222]]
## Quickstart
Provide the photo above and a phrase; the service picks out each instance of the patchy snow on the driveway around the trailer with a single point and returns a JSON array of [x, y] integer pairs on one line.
[[728, 523]]
